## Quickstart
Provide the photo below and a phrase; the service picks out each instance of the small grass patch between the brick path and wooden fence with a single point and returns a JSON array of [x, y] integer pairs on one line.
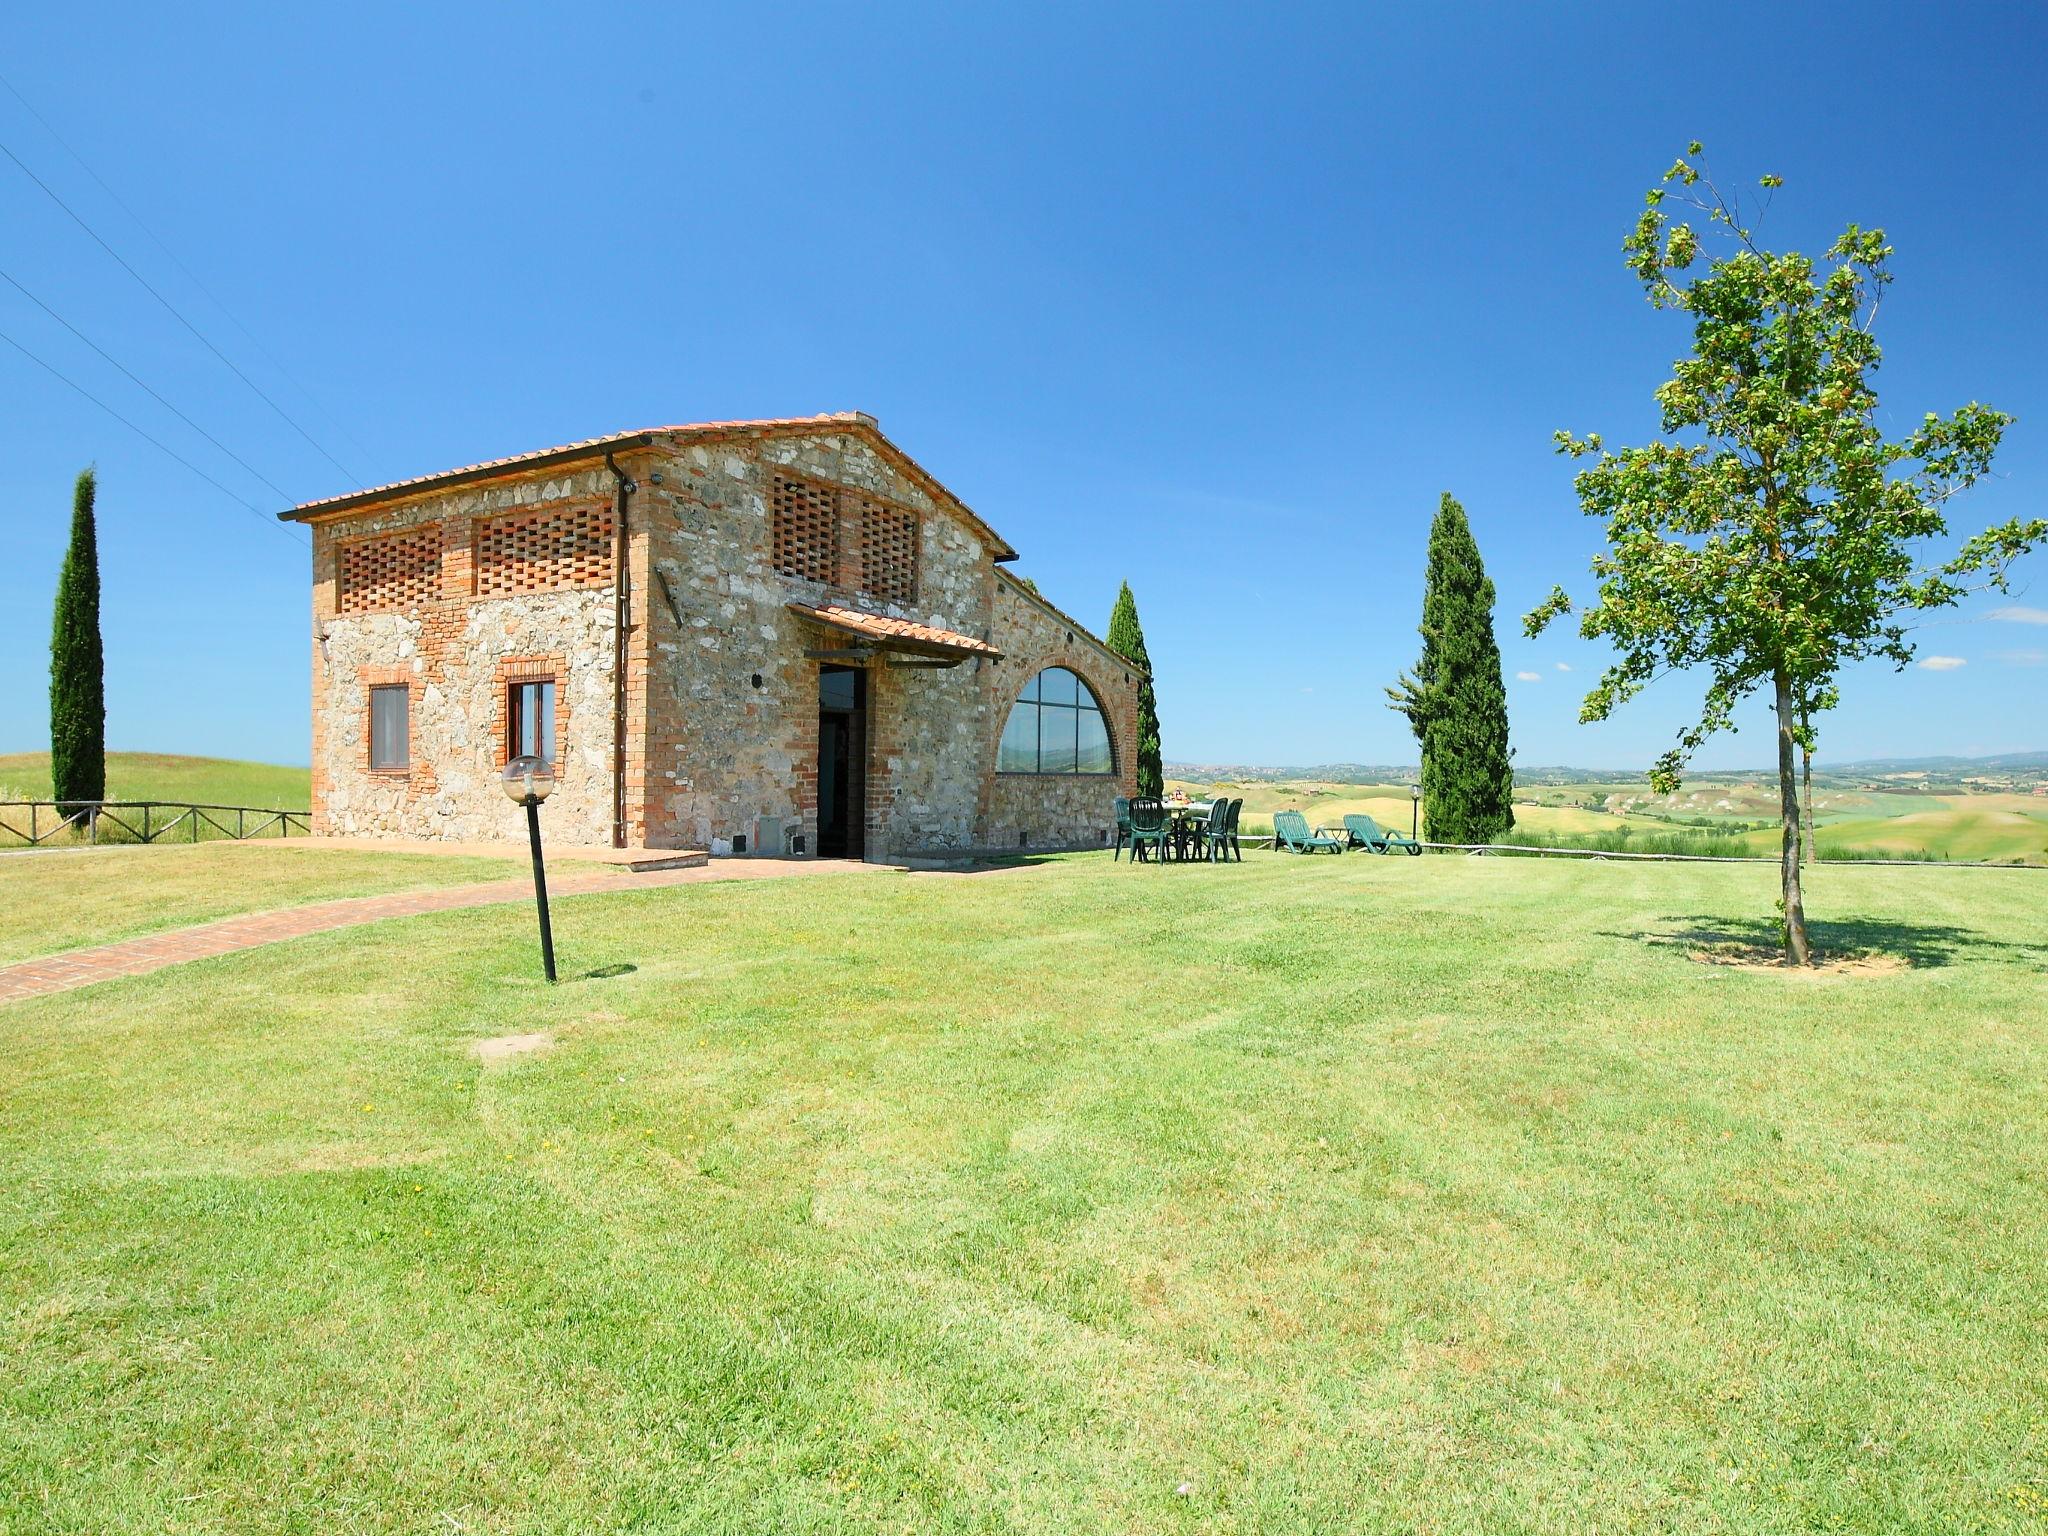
[[62, 900]]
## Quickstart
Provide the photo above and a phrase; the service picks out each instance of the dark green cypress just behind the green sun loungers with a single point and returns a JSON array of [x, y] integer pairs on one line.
[[1455, 701]]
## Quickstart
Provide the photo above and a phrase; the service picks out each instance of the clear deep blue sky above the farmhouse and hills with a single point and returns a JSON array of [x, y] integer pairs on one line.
[[1211, 300]]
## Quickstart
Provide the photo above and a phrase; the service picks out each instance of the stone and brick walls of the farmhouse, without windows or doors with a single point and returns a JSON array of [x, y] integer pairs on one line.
[[722, 699]]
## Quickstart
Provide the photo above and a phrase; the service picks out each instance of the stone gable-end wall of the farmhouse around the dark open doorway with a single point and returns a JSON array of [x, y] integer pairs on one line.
[[732, 697]]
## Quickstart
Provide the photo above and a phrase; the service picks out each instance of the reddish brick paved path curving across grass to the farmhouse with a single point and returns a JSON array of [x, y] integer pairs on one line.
[[134, 957]]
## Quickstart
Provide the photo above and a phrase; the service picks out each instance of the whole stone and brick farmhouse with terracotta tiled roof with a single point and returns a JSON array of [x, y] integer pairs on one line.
[[751, 638]]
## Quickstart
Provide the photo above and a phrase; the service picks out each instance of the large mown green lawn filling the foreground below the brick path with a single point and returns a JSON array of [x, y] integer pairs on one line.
[[1363, 1195]]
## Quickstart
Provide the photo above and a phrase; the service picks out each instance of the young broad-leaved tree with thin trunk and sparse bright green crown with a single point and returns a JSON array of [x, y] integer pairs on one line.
[[1781, 540]]
